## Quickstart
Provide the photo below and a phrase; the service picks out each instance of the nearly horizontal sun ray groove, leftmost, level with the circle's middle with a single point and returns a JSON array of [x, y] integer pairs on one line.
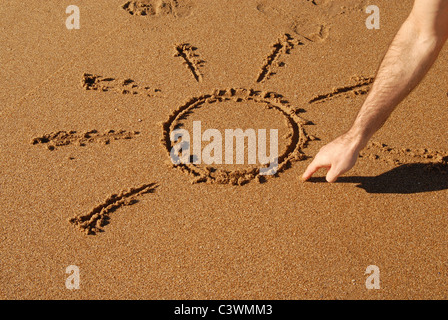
[[65, 138]]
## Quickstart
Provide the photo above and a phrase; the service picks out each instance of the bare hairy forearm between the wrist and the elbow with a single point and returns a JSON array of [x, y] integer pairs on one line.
[[407, 61]]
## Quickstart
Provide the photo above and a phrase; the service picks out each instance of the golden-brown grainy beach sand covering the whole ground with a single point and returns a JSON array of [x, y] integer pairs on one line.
[[84, 181]]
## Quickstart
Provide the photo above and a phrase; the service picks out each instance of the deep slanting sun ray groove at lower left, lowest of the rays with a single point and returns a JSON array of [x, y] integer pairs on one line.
[[92, 222]]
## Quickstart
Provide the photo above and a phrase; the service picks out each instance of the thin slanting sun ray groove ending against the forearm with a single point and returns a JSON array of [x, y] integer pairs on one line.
[[361, 86]]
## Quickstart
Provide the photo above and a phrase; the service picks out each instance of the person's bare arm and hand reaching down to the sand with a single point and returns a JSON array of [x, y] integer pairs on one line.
[[411, 55]]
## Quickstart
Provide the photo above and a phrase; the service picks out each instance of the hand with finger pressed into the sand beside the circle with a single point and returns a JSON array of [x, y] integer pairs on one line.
[[339, 156]]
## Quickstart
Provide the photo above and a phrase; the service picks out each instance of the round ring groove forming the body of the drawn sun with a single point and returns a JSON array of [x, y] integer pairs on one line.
[[270, 100]]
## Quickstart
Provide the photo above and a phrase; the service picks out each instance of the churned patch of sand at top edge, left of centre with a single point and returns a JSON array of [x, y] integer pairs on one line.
[[156, 8]]
